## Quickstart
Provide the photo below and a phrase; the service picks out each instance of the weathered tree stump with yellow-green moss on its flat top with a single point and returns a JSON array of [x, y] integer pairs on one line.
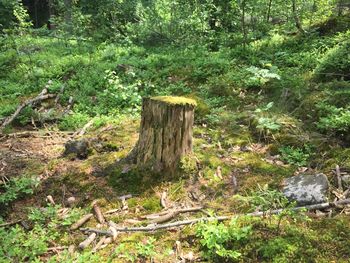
[[165, 132]]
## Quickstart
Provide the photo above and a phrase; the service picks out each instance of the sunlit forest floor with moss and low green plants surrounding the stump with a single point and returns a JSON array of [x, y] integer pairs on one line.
[[276, 108]]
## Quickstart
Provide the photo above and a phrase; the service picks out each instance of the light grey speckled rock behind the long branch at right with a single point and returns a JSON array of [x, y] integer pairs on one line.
[[307, 189]]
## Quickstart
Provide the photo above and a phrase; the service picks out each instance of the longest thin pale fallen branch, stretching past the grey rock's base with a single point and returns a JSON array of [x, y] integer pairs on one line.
[[151, 228]]
